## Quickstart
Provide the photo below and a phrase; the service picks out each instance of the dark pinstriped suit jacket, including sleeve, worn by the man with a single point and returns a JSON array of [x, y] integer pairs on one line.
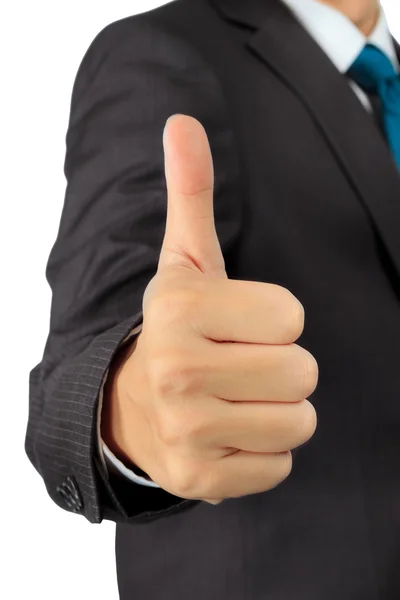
[[307, 196]]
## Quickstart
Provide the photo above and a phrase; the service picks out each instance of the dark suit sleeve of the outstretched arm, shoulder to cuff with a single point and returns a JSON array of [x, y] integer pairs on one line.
[[133, 76]]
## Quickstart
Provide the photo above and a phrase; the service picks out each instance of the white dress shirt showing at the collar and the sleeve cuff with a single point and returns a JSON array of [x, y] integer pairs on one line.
[[342, 41]]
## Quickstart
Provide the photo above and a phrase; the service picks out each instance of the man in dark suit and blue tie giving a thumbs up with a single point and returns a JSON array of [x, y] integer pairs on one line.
[[180, 386]]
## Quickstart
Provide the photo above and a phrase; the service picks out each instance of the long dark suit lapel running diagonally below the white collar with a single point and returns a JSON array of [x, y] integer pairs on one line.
[[286, 48]]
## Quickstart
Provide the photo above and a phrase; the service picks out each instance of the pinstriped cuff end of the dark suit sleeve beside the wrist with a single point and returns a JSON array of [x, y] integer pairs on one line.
[[61, 433]]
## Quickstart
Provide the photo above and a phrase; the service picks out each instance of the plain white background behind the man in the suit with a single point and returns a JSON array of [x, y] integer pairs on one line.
[[46, 552]]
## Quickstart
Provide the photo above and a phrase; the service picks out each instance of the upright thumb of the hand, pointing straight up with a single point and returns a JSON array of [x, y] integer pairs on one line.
[[190, 238]]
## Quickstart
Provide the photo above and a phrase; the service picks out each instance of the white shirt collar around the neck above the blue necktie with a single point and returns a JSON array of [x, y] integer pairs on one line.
[[327, 25]]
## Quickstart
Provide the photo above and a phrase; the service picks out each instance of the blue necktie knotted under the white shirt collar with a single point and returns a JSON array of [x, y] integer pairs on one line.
[[374, 73]]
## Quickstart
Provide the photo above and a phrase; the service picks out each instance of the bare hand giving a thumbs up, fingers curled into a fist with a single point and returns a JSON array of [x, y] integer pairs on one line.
[[212, 397]]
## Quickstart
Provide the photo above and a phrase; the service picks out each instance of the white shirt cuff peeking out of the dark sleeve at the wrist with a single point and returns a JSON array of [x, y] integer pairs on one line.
[[110, 462]]
